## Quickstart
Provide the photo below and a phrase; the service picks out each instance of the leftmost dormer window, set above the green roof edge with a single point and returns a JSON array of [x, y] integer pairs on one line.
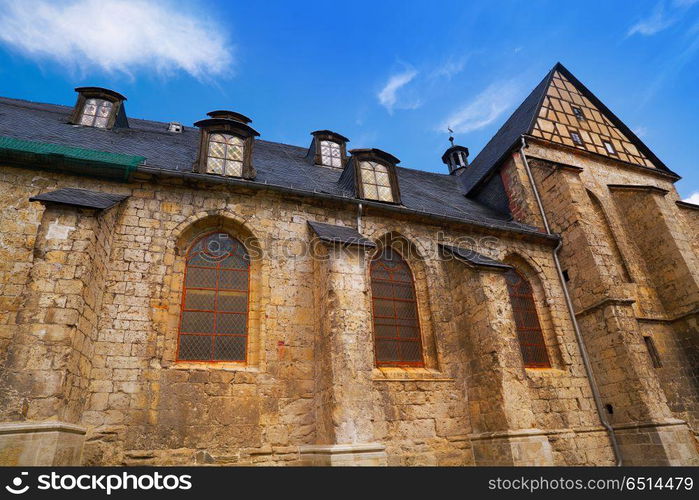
[[100, 108]]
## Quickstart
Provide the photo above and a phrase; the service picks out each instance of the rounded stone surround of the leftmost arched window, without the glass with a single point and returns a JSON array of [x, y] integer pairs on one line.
[[168, 309]]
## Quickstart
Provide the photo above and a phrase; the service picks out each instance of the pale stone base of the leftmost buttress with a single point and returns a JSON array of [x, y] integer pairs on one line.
[[40, 443]]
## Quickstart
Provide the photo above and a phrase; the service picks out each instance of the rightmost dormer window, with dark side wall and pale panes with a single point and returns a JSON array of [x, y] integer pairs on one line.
[[372, 175]]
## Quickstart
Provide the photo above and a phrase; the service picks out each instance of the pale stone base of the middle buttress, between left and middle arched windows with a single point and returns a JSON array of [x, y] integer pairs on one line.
[[365, 454]]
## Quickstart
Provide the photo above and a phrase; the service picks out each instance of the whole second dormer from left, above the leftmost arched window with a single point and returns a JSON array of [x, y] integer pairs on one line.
[[226, 145]]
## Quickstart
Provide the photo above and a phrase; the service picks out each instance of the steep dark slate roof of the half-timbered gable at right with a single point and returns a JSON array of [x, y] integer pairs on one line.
[[522, 121]]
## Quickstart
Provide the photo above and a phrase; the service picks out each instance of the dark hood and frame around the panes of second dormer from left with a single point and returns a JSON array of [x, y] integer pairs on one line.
[[225, 126]]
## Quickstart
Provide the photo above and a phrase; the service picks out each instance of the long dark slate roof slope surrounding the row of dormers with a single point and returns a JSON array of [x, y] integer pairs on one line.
[[277, 165]]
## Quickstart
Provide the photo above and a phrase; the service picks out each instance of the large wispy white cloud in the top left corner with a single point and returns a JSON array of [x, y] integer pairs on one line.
[[116, 35]]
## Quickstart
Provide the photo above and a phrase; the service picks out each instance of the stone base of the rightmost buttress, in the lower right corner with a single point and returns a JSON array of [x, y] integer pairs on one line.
[[666, 442]]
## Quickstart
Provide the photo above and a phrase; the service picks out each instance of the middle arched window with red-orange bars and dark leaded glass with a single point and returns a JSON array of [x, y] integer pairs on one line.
[[396, 326]]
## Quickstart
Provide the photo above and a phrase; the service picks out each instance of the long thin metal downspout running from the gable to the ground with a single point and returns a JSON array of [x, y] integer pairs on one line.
[[581, 342]]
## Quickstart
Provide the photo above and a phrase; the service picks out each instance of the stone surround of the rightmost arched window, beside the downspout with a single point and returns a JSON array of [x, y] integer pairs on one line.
[[542, 302]]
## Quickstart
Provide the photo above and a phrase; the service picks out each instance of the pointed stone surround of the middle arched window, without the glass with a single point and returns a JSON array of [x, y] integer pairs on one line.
[[421, 281]]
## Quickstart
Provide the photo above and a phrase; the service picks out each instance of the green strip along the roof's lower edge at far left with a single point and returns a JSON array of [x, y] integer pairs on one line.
[[58, 154]]
